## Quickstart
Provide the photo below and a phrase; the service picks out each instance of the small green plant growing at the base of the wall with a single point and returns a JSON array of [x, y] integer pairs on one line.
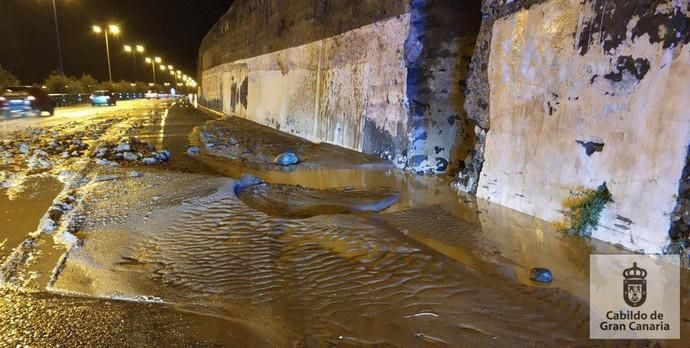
[[584, 210]]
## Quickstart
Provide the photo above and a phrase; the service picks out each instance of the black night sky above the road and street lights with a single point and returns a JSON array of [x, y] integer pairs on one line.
[[171, 29]]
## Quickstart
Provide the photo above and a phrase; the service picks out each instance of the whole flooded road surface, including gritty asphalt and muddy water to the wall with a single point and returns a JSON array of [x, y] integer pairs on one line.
[[170, 247]]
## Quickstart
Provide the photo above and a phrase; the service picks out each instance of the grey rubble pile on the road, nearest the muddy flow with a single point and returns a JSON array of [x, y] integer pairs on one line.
[[130, 150]]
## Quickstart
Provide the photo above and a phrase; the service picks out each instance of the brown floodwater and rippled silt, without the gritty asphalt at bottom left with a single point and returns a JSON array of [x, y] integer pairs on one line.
[[436, 269]]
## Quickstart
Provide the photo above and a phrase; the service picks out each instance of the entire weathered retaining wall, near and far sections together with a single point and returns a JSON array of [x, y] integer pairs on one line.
[[560, 95]]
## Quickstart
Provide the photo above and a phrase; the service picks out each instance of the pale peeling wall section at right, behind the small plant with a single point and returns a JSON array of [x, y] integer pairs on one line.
[[568, 95]]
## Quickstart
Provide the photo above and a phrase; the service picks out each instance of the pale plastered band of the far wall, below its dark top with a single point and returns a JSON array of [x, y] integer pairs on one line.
[[324, 90]]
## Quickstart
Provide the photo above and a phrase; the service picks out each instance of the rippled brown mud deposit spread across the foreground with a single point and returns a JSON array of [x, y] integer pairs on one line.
[[327, 278]]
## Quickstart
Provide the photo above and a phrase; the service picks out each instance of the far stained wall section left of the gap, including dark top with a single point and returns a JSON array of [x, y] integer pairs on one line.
[[383, 77]]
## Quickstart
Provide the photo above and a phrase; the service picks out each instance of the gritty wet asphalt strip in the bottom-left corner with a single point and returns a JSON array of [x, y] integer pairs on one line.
[[45, 320]]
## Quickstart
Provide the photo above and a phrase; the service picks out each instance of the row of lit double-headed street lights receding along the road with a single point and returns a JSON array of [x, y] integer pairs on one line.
[[134, 49]]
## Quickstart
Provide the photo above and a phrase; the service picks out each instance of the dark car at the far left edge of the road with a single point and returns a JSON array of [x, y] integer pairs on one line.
[[19, 97]]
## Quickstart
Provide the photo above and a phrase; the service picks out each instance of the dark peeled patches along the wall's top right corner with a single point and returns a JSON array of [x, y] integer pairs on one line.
[[609, 25]]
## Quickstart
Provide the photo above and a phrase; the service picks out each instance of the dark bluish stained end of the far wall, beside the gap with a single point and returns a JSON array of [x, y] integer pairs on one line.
[[441, 31]]
